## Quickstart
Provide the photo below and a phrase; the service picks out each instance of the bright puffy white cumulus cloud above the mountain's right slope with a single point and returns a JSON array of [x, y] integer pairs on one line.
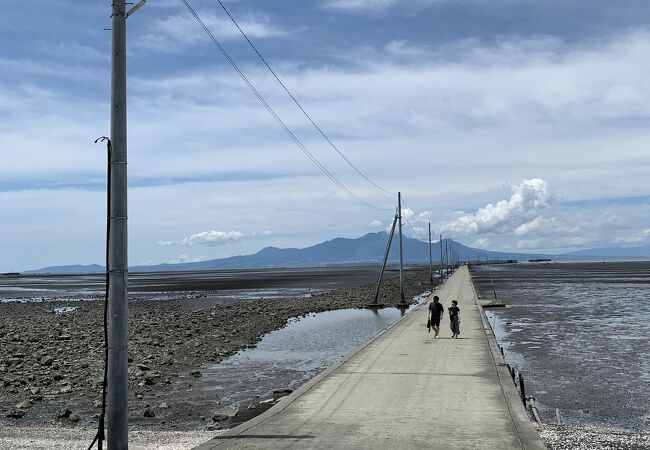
[[521, 210]]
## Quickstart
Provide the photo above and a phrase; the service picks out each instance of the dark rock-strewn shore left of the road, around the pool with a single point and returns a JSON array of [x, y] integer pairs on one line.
[[51, 353]]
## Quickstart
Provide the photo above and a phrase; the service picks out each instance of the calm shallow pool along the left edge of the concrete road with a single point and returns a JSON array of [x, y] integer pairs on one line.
[[288, 357]]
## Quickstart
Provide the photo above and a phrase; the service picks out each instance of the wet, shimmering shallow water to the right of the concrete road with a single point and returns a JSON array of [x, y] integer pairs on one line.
[[579, 333]]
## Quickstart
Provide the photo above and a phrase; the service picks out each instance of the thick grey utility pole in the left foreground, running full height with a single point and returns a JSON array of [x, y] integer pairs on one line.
[[117, 408]]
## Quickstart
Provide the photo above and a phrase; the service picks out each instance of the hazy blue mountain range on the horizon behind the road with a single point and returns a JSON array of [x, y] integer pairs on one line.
[[366, 249]]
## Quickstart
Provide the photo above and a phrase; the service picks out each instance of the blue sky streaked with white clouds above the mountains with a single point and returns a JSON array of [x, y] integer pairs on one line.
[[508, 125]]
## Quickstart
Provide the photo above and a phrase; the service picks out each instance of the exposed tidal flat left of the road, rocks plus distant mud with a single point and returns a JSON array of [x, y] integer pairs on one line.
[[51, 347]]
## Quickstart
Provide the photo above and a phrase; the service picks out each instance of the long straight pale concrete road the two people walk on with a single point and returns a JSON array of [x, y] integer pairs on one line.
[[404, 390]]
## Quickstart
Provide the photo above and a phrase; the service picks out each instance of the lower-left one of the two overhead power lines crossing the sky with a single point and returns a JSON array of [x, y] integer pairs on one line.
[[268, 107]]
